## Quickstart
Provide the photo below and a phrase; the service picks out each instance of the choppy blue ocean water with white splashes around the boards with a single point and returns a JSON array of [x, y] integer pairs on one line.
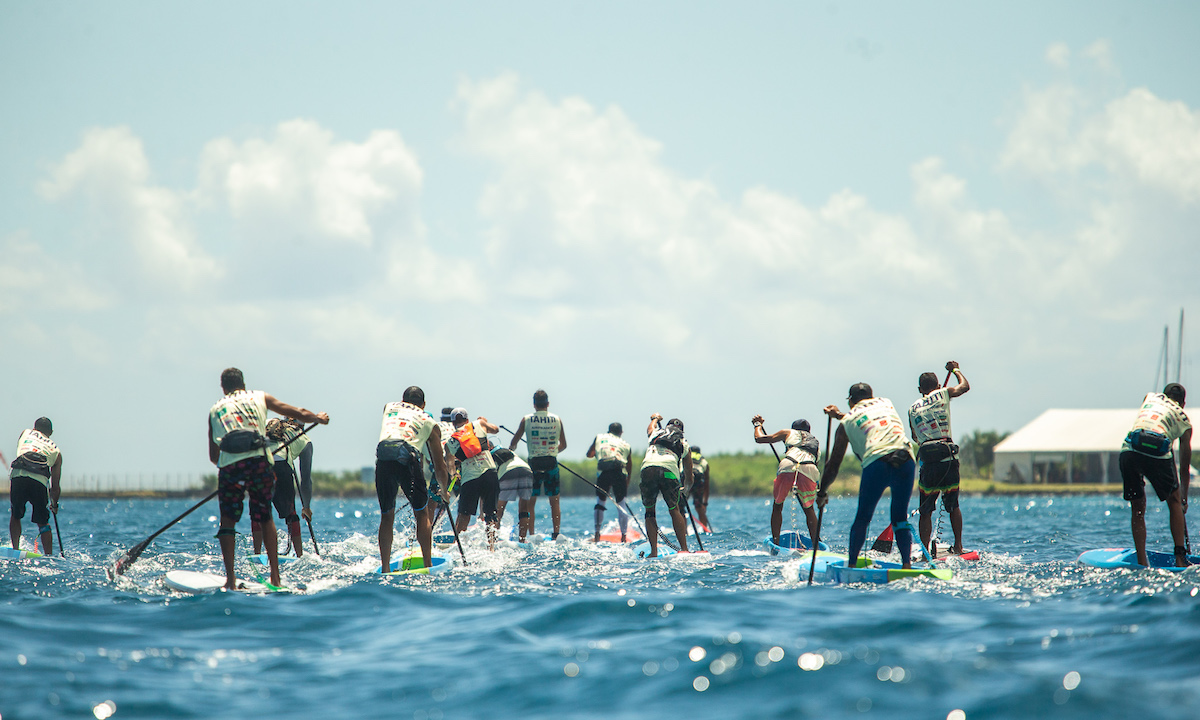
[[574, 631]]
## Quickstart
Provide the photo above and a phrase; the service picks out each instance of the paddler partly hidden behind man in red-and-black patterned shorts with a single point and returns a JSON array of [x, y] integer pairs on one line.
[[289, 445]]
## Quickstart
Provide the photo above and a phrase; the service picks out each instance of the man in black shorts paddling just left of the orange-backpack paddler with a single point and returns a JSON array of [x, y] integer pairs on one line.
[[407, 430]]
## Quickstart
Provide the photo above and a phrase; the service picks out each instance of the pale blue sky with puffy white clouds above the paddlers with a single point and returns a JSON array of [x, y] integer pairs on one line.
[[705, 211]]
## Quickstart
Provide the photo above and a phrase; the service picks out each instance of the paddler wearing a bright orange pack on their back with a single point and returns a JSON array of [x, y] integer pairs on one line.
[[481, 484]]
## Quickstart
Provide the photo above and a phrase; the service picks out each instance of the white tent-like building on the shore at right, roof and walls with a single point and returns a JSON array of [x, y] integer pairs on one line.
[[1066, 447]]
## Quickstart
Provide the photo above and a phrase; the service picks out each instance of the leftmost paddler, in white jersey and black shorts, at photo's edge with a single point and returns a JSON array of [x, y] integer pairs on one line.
[[34, 481]]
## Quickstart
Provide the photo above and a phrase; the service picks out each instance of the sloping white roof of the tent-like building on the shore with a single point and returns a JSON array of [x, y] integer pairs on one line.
[[1072, 431]]
